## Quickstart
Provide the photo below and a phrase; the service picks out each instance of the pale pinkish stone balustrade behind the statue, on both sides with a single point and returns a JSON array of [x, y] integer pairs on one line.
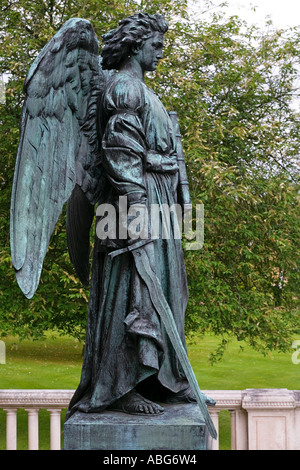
[[261, 419]]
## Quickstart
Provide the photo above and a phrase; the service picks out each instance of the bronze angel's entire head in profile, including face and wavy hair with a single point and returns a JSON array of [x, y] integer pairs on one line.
[[132, 37]]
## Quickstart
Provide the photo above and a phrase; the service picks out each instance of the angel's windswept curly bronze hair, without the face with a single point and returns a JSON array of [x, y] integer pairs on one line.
[[131, 32]]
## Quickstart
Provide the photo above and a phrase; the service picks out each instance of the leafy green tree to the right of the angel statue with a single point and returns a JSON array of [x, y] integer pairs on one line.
[[236, 94]]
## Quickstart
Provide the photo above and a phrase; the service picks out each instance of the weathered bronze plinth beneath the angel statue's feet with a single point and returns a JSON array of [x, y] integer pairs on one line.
[[180, 427]]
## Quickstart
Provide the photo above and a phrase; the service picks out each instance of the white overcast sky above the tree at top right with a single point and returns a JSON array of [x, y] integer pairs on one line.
[[284, 13]]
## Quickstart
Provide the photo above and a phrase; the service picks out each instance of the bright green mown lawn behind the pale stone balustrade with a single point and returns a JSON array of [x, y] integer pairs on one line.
[[55, 363]]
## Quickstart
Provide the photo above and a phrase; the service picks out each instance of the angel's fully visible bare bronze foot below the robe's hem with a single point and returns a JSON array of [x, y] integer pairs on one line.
[[134, 403]]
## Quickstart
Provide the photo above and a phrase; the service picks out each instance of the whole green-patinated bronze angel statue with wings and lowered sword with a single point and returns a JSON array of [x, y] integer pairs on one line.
[[91, 133]]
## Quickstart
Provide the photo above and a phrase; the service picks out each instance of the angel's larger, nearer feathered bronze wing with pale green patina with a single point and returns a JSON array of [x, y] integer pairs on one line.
[[58, 146]]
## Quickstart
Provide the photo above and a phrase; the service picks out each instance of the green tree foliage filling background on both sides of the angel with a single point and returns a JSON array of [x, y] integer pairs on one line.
[[234, 89]]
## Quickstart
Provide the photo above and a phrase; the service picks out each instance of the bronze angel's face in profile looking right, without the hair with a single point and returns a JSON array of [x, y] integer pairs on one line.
[[151, 52]]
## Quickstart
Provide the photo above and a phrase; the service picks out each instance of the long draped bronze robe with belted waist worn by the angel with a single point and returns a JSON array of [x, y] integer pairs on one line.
[[127, 345]]
